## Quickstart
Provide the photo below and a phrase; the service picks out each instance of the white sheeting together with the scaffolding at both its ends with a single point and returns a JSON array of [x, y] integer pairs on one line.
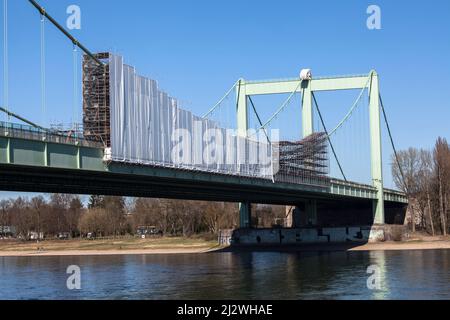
[[140, 124]]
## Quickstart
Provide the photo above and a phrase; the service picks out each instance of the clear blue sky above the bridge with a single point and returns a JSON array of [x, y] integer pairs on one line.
[[198, 49]]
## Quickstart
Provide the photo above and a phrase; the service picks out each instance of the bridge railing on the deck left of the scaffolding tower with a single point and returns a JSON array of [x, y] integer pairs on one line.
[[21, 131]]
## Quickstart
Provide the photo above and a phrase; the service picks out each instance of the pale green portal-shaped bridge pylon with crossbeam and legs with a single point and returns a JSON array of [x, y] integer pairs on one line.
[[245, 89]]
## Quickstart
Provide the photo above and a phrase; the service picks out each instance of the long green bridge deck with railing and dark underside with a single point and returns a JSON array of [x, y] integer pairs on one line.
[[39, 163]]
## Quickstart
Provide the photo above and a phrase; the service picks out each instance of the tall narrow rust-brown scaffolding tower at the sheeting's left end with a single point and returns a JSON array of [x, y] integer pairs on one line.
[[96, 99]]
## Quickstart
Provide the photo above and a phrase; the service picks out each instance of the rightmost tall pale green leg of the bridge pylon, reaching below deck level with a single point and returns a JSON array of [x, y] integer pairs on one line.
[[375, 143]]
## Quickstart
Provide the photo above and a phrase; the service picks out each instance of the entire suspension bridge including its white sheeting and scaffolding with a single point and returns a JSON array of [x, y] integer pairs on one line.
[[131, 129]]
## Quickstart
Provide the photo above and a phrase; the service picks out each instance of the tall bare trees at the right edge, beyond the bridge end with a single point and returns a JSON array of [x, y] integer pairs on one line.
[[424, 175]]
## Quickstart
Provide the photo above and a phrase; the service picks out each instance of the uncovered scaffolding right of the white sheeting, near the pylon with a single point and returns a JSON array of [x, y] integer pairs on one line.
[[305, 161]]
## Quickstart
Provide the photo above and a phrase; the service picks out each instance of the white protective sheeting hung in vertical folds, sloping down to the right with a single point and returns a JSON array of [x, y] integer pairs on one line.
[[148, 128]]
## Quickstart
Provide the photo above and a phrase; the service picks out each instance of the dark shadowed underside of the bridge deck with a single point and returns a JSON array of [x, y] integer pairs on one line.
[[59, 180]]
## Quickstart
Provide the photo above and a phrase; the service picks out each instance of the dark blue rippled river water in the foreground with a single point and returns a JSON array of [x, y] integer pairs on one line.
[[256, 275]]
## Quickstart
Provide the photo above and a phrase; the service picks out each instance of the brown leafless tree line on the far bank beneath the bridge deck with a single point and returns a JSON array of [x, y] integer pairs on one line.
[[114, 216]]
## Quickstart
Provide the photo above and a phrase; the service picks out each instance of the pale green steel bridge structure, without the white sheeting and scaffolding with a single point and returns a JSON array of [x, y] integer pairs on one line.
[[34, 159]]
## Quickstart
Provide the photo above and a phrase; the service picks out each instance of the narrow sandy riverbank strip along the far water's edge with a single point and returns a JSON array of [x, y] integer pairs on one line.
[[135, 246]]
